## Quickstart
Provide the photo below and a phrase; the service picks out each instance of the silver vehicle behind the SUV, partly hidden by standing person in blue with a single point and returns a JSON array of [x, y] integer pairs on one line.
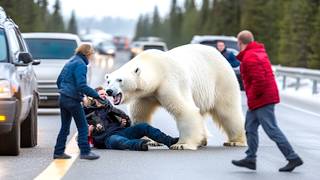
[[54, 49]]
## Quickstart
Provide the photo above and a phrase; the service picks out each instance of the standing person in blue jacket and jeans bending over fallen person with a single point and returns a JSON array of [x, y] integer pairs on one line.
[[72, 85]]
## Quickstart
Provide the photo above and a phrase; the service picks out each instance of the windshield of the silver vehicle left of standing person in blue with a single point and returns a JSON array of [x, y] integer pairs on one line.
[[51, 48]]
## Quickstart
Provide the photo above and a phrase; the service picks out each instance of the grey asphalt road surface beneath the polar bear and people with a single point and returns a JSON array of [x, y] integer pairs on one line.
[[300, 122]]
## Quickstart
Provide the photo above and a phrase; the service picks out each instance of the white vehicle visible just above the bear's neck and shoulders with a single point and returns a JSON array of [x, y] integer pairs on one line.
[[139, 46]]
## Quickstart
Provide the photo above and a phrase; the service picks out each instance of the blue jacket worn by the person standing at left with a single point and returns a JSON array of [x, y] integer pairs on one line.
[[72, 81]]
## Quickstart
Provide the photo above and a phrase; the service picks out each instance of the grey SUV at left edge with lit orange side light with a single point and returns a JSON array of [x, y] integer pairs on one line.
[[18, 90]]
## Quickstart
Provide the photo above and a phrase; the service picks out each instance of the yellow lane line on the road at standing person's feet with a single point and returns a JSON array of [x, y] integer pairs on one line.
[[59, 167]]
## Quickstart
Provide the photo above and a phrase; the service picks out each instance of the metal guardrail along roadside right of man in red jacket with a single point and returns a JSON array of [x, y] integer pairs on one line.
[[298, 74]]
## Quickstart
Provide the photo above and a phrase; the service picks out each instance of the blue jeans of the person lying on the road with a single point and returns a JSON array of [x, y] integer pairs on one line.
[[129, 138]]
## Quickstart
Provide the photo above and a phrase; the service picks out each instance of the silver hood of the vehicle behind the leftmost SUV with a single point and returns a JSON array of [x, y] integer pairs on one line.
[[49, 69]]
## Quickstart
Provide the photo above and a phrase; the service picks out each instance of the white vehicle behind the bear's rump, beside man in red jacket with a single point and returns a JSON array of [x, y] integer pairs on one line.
[[230, 42]]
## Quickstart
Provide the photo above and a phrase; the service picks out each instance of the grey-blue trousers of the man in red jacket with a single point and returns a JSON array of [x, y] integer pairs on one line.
[[265, 117]]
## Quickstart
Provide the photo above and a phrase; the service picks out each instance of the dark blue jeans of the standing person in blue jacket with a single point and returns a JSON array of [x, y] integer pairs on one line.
[[71, 108]]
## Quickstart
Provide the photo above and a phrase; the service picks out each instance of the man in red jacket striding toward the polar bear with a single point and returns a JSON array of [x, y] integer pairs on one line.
[[262, 95]]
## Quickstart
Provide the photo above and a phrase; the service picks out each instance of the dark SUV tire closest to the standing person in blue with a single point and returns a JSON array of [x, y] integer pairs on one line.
[[29, 127]]
